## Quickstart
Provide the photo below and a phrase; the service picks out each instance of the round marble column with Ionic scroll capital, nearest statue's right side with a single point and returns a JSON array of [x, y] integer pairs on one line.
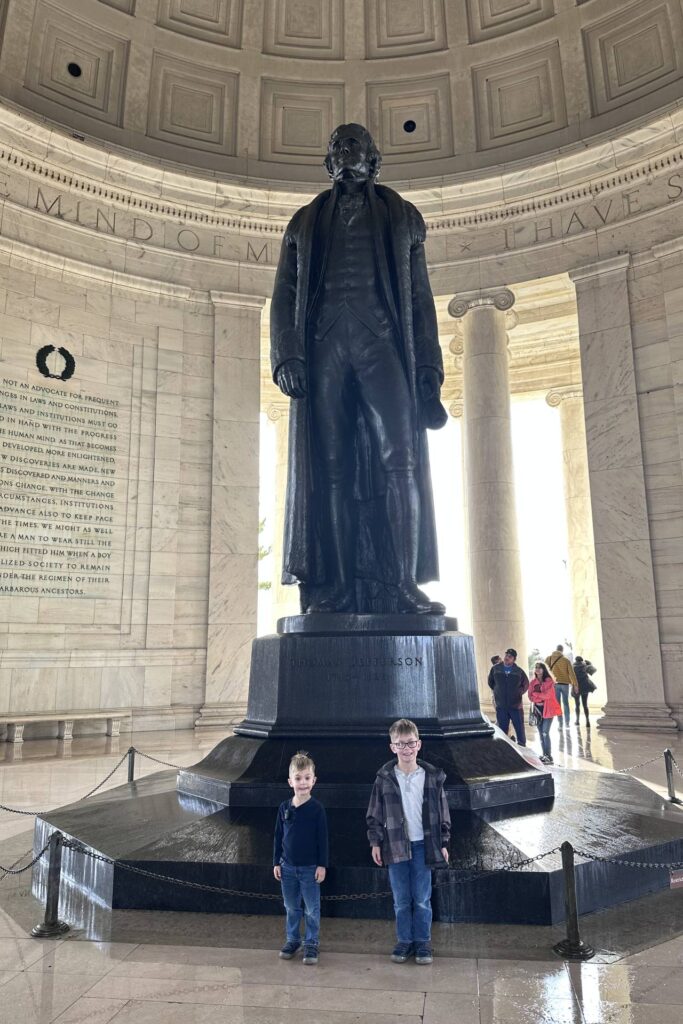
[[498, 619]]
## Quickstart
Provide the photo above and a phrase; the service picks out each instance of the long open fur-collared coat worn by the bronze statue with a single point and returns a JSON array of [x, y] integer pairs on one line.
[[400, 233]]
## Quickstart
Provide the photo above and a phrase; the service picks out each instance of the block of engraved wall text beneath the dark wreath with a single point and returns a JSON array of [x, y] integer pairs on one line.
[[61, 493]]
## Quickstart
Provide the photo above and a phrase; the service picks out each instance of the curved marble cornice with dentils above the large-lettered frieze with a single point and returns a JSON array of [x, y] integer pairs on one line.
[[534, 188]]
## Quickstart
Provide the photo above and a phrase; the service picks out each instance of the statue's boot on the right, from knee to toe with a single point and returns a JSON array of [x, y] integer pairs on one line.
[[404, 518]]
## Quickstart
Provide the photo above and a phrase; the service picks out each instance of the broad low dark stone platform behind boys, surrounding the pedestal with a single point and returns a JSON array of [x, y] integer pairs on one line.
[[151, 825]]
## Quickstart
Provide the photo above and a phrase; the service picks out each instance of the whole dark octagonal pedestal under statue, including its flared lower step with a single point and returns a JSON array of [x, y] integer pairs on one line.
[[333, 685]]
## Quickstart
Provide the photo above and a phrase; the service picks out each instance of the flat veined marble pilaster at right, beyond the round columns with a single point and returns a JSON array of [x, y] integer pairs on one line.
[[623, 554]]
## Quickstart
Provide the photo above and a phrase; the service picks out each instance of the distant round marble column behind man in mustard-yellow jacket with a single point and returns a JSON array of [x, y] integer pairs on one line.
[[587, 636]]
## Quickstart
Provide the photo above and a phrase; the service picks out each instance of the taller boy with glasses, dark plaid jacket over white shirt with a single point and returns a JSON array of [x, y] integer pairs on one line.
[[409, 829]]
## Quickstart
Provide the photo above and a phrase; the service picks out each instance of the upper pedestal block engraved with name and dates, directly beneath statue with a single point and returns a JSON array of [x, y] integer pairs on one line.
[[344, 676]]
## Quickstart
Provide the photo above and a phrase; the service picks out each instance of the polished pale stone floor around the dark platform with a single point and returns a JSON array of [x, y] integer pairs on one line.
[[144, 968]]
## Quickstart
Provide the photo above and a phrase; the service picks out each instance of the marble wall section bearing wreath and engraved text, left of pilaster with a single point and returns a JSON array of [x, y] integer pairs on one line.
[[136, 637]]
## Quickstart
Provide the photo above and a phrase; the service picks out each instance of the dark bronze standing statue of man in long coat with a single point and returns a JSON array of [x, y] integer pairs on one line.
[[355, 345]]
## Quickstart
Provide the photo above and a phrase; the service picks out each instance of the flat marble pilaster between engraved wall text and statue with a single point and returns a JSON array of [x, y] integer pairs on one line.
[[235, 540]]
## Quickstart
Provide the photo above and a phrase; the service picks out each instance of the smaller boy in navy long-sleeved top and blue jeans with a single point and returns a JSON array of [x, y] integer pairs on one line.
[[301, 859]]
